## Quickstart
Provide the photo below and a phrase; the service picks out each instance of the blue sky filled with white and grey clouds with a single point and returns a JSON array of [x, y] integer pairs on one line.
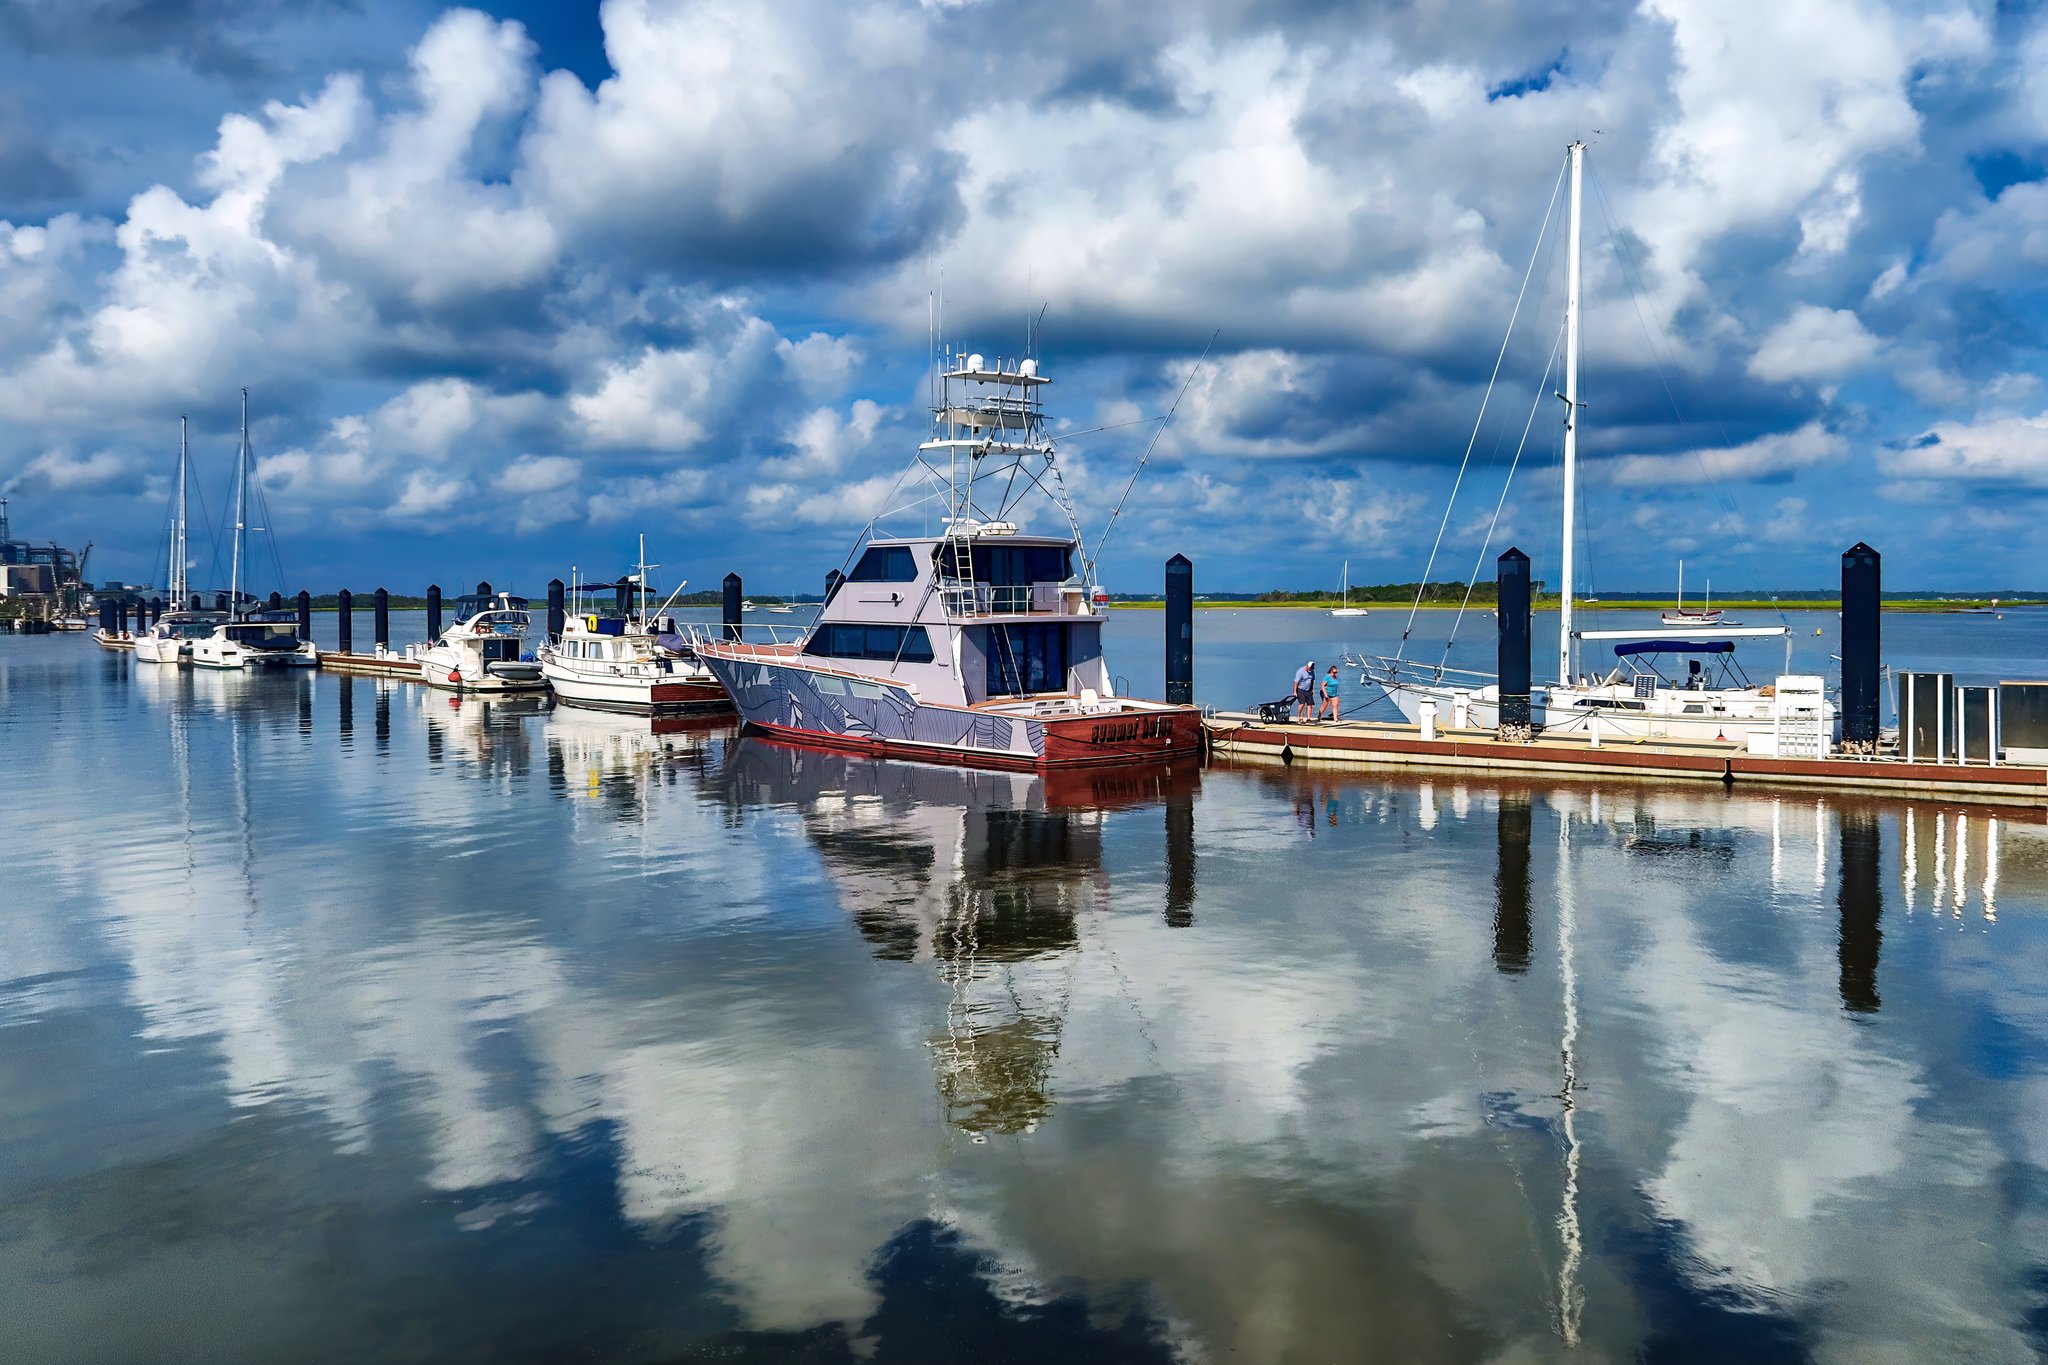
[[511, 285]]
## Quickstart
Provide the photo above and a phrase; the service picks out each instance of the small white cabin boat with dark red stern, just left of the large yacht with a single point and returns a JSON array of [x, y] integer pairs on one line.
[[636, 662]]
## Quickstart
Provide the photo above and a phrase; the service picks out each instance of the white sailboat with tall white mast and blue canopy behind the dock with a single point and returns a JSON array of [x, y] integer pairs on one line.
[[1660, 682]]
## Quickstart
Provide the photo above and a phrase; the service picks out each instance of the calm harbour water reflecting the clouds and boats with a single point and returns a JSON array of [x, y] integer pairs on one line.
[[345, 1022]]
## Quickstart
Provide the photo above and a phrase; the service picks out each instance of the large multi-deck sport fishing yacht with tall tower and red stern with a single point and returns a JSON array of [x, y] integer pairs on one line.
[[976, 646]]
